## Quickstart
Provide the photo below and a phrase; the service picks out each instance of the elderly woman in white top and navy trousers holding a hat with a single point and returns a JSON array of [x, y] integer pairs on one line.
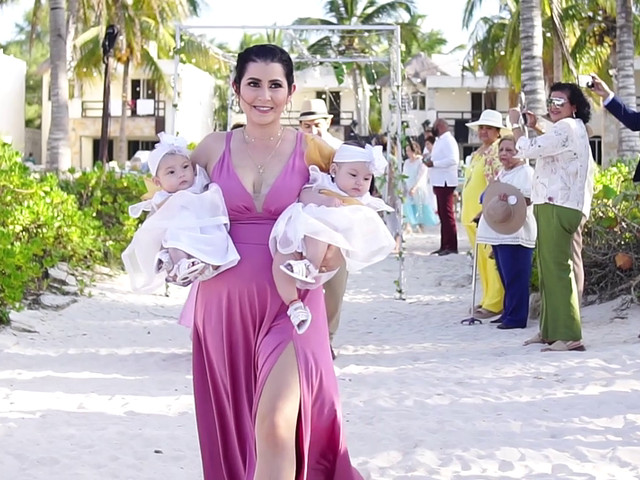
[[508, 225]]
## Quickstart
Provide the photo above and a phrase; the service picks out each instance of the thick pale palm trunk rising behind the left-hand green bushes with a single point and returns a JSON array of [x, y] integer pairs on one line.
[[58, 151]]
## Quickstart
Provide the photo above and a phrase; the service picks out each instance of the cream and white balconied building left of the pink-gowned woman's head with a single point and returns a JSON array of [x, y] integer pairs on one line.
[[149, 111]]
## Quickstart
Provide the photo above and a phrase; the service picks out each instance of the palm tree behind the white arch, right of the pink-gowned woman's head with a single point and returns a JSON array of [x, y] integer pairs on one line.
[[353, 43]]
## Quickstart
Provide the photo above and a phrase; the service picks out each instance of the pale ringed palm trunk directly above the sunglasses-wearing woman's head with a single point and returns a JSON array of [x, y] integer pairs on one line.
[[532, 70]]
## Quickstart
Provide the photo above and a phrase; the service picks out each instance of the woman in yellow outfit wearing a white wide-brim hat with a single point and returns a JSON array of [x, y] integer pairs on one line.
[[483, 167]]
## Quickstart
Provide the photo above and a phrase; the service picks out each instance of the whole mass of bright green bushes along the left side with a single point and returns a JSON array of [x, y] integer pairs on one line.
[[45, 220]]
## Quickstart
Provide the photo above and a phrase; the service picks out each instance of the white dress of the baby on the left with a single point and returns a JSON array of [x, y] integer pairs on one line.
[[193, 220]]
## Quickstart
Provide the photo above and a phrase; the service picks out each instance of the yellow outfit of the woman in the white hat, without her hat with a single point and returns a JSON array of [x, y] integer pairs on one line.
[[483, 166]]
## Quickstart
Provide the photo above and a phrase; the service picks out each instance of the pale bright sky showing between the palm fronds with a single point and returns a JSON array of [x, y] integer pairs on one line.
[[283, 12]]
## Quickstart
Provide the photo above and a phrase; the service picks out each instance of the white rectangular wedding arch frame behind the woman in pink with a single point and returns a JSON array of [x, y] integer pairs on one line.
[[395, 102]]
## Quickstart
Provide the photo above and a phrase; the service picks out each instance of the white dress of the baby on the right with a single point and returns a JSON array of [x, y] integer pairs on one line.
[[357, 230]]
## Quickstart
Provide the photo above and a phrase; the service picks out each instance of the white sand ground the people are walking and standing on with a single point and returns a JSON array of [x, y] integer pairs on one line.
[[103, 389]]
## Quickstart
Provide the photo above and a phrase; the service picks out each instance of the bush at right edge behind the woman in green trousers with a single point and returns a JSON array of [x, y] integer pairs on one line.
[[613, 228]]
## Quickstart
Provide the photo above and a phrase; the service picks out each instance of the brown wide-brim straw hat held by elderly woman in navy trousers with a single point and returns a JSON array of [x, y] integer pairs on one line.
[[505, 217]]
